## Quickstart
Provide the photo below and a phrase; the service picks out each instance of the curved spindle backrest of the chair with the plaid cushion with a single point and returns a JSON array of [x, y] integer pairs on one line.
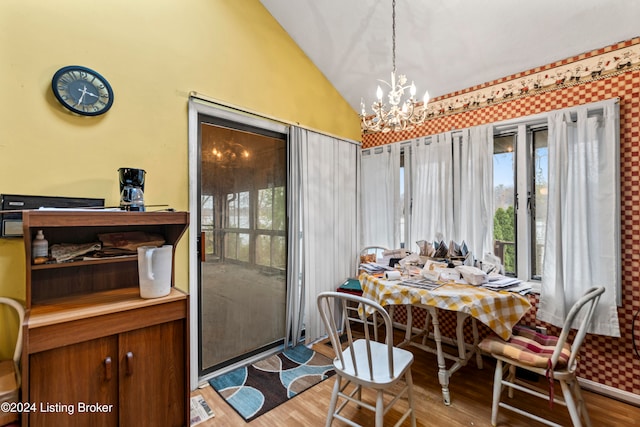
[[588, 303]]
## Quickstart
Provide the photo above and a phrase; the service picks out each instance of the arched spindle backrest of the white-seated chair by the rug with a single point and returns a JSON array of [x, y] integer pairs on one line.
[[333, 305]]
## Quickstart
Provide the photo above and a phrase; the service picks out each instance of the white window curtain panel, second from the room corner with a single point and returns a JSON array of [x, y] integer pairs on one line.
[[432, 192]]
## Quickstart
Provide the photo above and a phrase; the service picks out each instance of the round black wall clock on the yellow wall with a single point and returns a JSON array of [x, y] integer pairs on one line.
[[82, 90]]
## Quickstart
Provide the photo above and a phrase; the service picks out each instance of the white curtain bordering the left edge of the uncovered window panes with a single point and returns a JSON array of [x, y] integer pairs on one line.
[[474, 190]]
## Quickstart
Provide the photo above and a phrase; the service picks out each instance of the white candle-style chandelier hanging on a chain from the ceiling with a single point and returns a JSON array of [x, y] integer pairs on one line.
[[399, 115]]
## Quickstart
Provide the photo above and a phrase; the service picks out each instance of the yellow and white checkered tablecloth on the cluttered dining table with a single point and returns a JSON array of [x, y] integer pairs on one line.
[[500, 311]]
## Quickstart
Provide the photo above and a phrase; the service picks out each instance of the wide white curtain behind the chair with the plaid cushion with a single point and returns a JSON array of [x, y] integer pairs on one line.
[[582, 235]]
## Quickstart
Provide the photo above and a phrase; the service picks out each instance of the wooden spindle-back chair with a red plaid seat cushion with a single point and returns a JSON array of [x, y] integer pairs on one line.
[[552, 357]]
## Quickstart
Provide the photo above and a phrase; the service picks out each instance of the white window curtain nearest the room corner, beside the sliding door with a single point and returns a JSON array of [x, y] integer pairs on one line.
[[380, 197]]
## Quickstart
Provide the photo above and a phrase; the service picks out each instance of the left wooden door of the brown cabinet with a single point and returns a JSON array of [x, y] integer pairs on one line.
[[75, 385]]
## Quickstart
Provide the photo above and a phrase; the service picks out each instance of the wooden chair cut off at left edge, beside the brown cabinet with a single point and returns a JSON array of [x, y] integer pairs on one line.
[[9, 369]]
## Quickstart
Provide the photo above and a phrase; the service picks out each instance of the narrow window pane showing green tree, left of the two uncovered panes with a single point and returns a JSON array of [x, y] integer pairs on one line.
[[504, 224]]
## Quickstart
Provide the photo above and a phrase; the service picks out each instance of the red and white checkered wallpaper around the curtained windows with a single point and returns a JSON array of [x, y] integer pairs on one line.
[[604, 360]]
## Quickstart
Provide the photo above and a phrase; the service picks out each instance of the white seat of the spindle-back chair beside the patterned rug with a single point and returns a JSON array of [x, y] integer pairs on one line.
[[402, 359]]
